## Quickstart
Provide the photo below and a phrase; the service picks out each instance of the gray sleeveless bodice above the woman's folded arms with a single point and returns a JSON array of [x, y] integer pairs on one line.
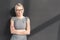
[[19, 23]]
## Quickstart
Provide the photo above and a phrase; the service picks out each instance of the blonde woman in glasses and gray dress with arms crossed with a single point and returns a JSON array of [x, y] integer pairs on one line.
[[19, 25]]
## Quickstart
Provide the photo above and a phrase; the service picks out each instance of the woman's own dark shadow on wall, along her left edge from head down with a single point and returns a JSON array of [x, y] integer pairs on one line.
[[7, 32]]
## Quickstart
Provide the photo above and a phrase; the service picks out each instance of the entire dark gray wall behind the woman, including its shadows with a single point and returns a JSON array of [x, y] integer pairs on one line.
[[44, 15]]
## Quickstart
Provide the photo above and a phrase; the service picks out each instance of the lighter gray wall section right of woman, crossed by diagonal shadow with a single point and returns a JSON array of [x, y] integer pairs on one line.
[[45, 17]]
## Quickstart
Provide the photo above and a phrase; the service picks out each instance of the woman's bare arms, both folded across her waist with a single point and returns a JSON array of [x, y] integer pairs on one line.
[[23, 31]]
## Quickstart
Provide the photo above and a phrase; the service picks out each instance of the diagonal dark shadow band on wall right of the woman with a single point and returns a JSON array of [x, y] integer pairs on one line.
[[44, 25]]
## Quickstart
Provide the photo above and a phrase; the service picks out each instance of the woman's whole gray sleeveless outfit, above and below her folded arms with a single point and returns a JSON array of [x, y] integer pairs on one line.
[[19, 24]]
